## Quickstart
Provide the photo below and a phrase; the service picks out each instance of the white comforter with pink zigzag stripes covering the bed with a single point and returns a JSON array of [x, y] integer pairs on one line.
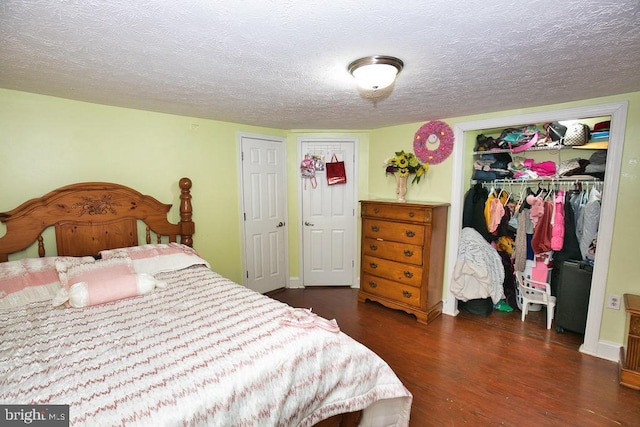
[[204, 351]]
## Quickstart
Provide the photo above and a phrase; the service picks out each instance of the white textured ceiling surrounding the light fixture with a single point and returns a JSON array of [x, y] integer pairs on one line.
[[282, 64]]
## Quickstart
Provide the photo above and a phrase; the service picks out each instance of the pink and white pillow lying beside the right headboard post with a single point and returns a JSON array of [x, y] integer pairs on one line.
[[159, 258]]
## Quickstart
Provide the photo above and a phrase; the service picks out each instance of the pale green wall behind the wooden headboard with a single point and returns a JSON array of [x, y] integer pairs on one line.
[[48, 142]]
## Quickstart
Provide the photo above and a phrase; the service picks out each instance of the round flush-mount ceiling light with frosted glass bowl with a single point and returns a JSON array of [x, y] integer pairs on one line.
[[375, 72]]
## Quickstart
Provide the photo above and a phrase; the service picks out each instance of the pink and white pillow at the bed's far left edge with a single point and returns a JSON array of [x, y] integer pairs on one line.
[[29, 280]]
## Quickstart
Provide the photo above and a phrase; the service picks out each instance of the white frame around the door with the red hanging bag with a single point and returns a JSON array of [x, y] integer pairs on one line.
[[315, 139]]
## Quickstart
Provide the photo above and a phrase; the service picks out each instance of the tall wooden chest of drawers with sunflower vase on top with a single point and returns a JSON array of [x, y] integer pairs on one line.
[[403, 251]]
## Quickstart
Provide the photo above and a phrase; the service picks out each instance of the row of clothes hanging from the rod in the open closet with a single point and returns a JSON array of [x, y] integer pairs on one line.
[[549, 225]]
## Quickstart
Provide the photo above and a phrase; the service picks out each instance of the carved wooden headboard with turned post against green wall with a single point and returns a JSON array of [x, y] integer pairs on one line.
[[93, 216]]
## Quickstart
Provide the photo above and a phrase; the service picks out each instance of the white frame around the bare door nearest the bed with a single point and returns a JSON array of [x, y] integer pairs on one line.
[[283, 141]]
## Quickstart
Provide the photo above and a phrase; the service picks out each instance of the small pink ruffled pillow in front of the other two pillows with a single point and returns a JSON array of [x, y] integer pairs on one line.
[[97, 282]]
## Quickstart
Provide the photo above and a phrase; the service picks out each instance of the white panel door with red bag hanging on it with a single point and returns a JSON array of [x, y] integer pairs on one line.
[[328, 215]]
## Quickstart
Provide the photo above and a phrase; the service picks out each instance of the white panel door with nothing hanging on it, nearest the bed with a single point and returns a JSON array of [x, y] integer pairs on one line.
[[264, 205]]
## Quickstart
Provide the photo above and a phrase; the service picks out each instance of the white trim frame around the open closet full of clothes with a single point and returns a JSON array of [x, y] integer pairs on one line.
[[618, 113]]
